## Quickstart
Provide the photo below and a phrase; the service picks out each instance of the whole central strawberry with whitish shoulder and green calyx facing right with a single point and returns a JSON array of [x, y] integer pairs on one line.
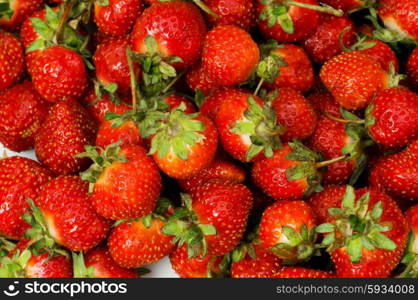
[[247, 127]]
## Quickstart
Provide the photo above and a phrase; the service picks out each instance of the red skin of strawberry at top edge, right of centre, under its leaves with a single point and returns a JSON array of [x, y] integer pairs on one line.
[[304, 20]]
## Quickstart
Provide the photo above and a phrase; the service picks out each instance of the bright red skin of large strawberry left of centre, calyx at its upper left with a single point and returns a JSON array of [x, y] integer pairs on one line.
[[140, 192]]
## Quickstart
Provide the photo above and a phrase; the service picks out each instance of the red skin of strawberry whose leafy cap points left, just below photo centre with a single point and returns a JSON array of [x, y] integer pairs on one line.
[[226, 206]]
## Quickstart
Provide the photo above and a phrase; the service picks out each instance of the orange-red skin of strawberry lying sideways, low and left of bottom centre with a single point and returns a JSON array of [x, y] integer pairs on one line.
[[132, 245]]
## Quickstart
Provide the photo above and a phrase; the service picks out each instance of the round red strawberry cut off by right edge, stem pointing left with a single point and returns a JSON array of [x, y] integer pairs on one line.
[[391, 117]]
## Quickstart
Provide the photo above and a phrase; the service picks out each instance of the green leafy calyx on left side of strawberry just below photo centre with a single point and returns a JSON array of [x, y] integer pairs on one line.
[[184, 225]]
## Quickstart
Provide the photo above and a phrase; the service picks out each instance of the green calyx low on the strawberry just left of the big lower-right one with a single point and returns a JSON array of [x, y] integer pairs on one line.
[[300, 246]]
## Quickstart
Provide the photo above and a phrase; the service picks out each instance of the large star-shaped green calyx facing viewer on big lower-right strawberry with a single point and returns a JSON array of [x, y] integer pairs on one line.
[[356, 227]]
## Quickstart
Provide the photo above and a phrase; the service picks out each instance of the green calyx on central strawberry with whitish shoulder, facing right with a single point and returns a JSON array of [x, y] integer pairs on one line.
[[261, 125]]
